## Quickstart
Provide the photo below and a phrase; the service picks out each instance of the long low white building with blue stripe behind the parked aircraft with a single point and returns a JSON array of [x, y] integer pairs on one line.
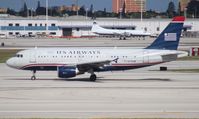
[[81, 26]]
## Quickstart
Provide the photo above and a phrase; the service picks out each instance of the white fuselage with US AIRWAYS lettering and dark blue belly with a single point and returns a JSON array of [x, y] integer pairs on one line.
[[126, 58]]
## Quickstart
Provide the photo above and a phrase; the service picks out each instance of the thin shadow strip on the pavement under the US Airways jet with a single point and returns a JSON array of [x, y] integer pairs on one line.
[[97, 81]]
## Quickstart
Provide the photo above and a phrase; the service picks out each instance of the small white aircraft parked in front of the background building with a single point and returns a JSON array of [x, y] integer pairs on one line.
[[118, 32]]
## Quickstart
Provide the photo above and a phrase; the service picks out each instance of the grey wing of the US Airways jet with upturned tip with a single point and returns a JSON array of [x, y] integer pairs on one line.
[[84, 67]]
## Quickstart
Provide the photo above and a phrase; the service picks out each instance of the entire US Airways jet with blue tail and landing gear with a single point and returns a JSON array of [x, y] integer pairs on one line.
[[69, 62]]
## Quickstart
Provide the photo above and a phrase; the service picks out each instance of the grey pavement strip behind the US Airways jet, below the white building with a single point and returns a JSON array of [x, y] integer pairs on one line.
[[22, 43]]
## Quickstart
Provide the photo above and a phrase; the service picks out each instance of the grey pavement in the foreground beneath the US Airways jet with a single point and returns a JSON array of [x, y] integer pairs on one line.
[[139, 93]]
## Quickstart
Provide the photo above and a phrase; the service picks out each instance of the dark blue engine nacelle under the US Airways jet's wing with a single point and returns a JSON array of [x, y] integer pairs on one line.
[[67, 71]]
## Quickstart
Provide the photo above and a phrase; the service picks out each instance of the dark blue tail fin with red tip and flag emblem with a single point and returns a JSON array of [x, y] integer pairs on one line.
[[169, 38]]
